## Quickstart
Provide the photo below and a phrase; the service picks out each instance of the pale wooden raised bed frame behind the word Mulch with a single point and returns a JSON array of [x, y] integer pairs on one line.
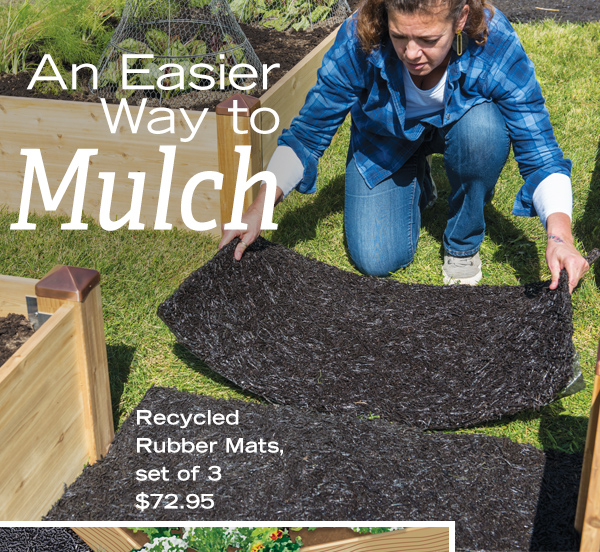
[[60, 128]]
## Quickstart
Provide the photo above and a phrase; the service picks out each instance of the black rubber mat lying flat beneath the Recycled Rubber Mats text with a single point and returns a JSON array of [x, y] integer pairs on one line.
[[503, 495]]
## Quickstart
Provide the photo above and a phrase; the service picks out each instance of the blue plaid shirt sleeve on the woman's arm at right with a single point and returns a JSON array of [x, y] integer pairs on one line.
[[512, 84]]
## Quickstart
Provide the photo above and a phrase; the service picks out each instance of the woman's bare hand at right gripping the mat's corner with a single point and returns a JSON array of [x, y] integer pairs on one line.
[[561, 252]]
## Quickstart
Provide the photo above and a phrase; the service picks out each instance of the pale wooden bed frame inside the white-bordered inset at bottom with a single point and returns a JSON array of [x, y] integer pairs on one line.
[[411, 539]]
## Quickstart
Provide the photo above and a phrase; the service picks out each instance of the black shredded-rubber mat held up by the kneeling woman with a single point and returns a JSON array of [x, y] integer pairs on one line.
[[297, 331]]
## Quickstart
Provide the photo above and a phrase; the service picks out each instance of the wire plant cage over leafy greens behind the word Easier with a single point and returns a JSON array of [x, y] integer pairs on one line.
[[180, 34]]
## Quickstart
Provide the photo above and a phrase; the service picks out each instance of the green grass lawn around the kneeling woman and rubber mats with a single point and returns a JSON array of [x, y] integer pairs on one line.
[[141, 269]]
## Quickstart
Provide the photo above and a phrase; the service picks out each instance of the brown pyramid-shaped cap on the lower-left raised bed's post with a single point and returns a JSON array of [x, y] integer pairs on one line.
[[69, 283]]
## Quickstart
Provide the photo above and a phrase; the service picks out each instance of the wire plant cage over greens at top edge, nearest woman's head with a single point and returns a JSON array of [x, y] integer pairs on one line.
[[283, 15]]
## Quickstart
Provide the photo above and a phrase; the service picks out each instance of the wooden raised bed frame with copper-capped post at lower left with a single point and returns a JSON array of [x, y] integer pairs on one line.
[[55, 407]]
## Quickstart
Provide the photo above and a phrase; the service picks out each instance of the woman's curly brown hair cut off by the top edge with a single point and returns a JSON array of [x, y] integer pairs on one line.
[[372, 21]]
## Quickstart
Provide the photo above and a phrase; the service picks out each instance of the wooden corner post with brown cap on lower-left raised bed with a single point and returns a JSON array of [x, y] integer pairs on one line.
[[80, 287]]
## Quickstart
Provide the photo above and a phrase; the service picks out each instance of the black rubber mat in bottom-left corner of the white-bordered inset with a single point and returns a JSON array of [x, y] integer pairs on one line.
[[40, 539]]
